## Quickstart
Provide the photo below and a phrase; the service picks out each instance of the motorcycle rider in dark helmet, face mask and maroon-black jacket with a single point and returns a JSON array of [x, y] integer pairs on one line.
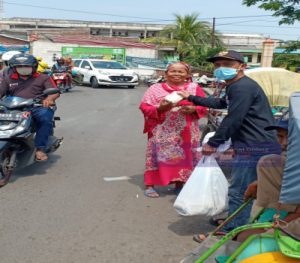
[[26, 83]]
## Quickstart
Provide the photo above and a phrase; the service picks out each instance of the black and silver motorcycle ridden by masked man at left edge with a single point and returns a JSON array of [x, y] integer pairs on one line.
[[17, 133]]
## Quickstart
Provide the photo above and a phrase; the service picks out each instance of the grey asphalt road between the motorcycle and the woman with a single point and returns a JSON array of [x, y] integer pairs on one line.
[[63, 211]]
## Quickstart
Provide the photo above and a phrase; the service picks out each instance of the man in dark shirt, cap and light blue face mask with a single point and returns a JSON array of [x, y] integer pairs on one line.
[[249, 113]]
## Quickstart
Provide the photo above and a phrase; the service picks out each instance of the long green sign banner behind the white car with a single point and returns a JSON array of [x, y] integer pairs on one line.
[[117, 54]]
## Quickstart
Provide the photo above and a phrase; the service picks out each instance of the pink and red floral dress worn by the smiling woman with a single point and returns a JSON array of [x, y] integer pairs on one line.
[[173, 137]]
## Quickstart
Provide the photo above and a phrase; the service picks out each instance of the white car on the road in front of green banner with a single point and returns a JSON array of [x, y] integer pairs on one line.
[[98, 72]]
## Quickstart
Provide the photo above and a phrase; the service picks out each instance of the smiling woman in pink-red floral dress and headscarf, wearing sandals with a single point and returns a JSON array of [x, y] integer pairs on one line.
[[173, 130]]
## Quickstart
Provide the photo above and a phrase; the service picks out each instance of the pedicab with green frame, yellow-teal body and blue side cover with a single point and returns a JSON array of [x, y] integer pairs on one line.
[[278, 245]]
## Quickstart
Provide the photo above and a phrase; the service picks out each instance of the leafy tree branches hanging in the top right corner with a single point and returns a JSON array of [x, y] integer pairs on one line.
[[289, 10]]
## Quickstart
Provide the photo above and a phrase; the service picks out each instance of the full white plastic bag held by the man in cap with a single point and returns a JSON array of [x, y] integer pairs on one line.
[[205, 192]]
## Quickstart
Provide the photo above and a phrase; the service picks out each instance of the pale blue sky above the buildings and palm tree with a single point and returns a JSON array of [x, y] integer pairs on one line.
[[231, 16]]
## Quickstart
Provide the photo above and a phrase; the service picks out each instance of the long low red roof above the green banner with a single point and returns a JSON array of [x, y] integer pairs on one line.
[[96, 42]]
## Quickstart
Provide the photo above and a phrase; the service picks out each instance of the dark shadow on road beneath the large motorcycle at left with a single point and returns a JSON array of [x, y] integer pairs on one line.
[[36, 169]]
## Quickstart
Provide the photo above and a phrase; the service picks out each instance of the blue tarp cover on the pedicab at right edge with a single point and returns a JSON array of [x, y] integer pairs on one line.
[[290, 190]]
